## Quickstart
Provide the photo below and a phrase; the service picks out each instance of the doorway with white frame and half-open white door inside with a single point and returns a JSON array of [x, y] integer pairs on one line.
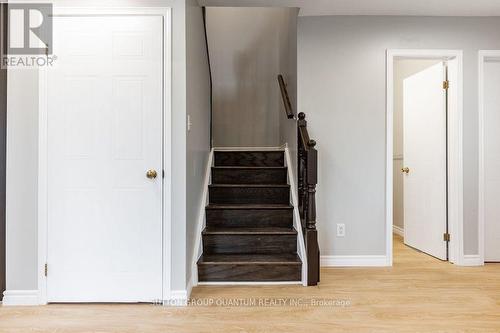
[[424, 179]]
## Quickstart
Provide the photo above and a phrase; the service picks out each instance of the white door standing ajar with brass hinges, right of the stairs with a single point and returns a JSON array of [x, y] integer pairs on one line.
[[424, 145]]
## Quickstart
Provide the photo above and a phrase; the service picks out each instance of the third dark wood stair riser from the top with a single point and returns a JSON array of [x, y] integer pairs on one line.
[[249, 194]]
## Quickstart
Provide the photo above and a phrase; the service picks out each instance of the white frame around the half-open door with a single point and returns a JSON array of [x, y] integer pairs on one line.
[[455, 151]]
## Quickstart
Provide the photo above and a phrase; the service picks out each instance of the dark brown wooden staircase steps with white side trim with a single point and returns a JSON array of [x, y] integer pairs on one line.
[[249, 234]]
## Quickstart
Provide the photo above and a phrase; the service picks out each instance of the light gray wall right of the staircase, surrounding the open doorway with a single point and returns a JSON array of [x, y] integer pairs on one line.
[[341, 75]]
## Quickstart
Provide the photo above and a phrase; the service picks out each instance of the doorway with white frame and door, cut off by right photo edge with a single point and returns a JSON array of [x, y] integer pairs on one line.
[[489, 156]]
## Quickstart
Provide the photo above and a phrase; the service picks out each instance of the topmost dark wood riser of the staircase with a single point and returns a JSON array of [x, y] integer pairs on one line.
[[249, 158]]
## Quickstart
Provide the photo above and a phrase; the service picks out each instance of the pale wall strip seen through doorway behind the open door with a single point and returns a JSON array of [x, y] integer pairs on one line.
[[403, 68]]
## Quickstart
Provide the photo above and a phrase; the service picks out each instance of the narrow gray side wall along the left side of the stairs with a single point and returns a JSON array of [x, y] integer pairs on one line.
[[198, 108]]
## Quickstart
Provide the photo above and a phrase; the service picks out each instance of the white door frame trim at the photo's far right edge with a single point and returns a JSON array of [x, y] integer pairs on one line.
[[483, 55]]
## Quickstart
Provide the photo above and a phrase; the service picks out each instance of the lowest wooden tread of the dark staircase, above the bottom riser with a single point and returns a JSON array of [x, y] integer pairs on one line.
[[249, 259]]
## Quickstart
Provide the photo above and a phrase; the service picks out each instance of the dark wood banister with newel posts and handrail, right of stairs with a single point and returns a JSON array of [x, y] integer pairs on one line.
[[307, 165]]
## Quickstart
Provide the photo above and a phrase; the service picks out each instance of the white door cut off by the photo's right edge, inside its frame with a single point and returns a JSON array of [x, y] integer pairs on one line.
[[492, 161]]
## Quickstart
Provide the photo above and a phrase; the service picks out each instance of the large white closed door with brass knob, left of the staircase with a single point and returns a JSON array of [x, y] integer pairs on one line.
[[104, 114]]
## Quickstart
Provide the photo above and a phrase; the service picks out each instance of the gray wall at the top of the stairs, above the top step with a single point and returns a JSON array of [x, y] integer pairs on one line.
[[246, 56]]
